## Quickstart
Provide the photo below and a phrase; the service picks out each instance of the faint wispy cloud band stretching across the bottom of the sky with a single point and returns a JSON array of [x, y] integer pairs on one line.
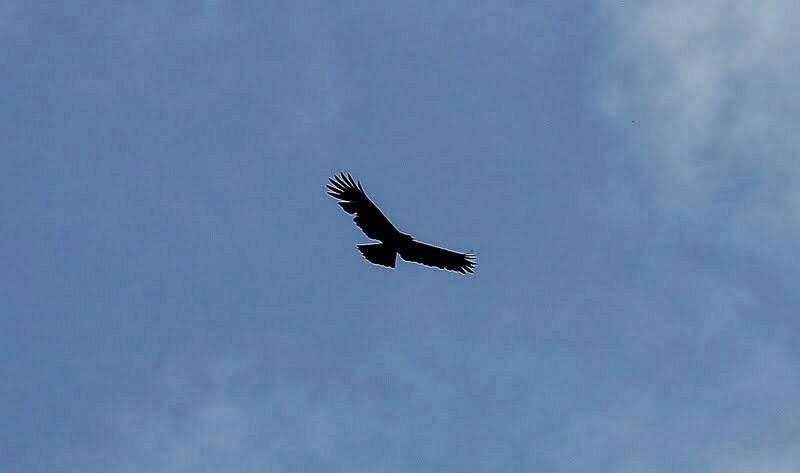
[[411, 401]]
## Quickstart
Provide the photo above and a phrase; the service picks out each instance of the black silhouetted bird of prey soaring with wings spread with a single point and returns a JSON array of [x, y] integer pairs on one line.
[[368, 217]]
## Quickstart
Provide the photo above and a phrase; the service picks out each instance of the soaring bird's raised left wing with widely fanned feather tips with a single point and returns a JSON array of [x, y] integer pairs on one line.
[[354, 201]]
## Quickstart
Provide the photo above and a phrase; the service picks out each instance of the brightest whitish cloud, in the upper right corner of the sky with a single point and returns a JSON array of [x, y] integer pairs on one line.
[[712, 86]]
